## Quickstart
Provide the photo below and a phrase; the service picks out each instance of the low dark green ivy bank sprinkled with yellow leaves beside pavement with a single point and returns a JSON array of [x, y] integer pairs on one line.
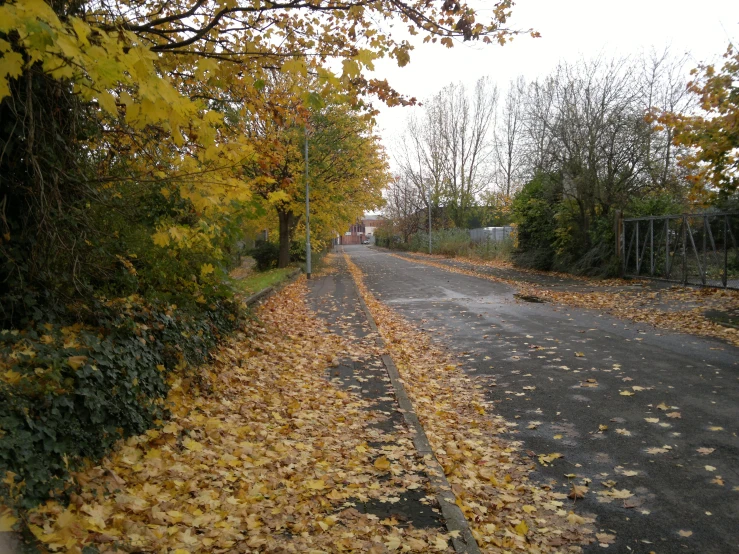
[[69, 393]]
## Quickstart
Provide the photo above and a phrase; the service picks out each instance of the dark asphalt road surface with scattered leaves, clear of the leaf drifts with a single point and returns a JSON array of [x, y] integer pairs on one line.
[[557, 374]]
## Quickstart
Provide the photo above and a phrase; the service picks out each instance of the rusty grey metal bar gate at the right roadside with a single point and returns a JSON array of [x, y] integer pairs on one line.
[[698, 249]]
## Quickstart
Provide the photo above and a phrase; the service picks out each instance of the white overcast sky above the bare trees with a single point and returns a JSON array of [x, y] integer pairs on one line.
[[570, 29]]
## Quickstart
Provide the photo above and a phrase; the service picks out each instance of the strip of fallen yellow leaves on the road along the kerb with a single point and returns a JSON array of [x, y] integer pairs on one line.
[[488, 474]]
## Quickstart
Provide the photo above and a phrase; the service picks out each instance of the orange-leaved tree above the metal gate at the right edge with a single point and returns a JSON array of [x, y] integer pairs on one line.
[[713, 136]]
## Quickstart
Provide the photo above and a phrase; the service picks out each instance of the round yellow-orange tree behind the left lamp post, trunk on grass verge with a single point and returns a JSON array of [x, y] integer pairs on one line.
[[347, 168]]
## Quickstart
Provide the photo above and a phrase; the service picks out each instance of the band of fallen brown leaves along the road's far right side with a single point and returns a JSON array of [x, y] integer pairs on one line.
[[642, 306]]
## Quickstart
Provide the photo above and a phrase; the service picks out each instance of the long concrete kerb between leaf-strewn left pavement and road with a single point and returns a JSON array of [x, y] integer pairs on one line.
[[453, 516]]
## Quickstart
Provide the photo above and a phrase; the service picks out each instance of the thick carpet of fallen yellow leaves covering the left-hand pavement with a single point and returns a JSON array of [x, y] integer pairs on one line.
[[275, 459]]
